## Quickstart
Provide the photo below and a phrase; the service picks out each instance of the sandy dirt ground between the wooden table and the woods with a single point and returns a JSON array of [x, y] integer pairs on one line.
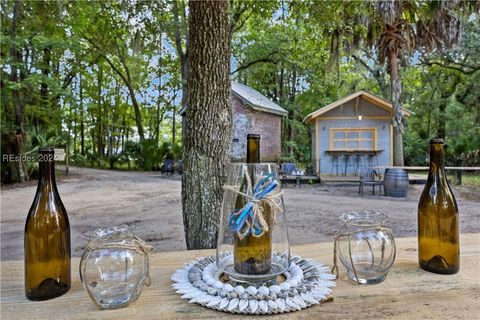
[[100, 198]]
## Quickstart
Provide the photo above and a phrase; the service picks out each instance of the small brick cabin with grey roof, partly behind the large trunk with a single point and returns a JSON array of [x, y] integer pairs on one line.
[[252, 112]]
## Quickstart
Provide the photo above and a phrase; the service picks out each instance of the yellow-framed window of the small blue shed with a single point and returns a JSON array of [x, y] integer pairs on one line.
[[353, 138]]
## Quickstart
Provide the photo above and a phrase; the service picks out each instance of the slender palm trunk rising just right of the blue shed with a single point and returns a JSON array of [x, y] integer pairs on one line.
[[397, 119]]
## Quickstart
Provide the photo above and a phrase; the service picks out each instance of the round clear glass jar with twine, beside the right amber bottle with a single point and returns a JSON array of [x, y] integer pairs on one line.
[[365, 246]]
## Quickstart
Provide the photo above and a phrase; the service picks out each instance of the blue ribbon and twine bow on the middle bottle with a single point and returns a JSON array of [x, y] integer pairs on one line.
[[250, 220]]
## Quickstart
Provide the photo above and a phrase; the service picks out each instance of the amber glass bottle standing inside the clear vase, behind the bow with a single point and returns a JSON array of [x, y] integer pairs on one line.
[[252, 255]]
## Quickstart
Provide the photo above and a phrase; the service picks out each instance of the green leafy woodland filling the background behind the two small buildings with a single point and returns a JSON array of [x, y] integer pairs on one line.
[[107, 78]]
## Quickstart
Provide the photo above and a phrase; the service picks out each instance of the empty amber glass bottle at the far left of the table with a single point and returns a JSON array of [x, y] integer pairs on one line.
[[47, 237]]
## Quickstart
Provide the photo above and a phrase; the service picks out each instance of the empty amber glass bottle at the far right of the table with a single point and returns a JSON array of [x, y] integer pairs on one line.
[[438, 241]]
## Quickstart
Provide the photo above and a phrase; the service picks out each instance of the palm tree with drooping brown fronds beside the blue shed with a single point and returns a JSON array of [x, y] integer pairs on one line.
[[399, 28]]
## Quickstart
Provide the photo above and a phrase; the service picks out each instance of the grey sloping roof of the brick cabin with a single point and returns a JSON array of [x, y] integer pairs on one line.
[[256, 100]]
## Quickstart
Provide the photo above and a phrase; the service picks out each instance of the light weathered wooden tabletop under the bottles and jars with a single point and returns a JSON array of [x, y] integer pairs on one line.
[[407, 293]]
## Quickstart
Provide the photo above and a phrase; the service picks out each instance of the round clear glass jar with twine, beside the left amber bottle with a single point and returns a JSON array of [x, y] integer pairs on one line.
[[114, 267]]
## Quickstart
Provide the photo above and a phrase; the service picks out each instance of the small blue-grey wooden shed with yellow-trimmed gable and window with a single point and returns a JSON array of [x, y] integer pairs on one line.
[[352, 132]]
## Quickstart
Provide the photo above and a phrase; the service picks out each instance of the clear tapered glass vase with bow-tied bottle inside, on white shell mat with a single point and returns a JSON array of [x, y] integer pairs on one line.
[[253, 245]]
